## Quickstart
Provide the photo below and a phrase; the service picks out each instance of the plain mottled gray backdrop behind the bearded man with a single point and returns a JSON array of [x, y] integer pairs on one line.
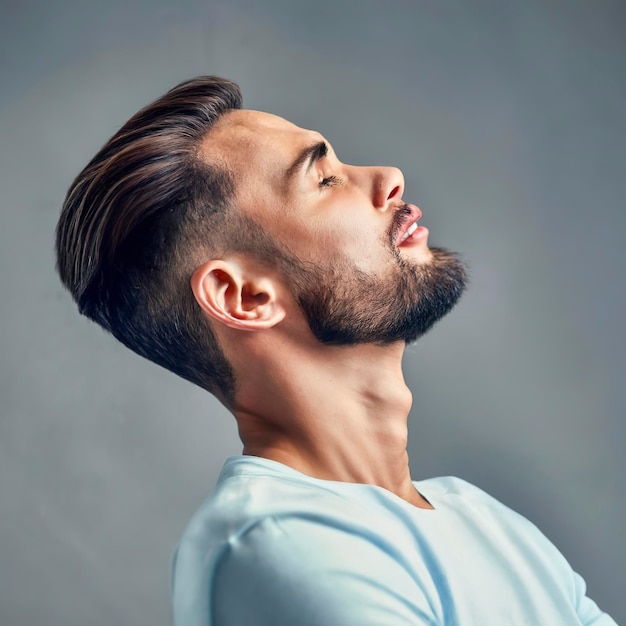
[[507, 119]]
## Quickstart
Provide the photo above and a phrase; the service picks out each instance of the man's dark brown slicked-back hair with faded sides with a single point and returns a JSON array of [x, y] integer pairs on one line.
[[139, 219]]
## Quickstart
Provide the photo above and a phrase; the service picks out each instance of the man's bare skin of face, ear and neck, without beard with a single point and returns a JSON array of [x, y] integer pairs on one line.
[[335, 412]]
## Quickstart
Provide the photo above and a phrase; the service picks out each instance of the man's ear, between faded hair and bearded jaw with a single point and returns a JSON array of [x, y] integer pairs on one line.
[[237, 296]]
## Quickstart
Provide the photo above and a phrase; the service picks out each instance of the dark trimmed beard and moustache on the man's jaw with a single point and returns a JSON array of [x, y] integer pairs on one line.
[[344, 305]]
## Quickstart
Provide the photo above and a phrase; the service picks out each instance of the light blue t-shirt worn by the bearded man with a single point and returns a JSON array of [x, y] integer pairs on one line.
[[274, 547]]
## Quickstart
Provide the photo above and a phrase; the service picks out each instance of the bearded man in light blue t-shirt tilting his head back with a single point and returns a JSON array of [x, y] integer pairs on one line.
[[235, 249]]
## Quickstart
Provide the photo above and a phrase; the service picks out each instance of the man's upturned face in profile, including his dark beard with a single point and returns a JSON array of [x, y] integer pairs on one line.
[[354, 257]]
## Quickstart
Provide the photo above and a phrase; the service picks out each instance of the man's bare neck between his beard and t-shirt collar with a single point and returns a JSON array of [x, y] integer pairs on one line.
[[339, 414]]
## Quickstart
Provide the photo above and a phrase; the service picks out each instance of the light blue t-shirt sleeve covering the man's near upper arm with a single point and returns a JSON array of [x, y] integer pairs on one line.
[[296, 571]]
